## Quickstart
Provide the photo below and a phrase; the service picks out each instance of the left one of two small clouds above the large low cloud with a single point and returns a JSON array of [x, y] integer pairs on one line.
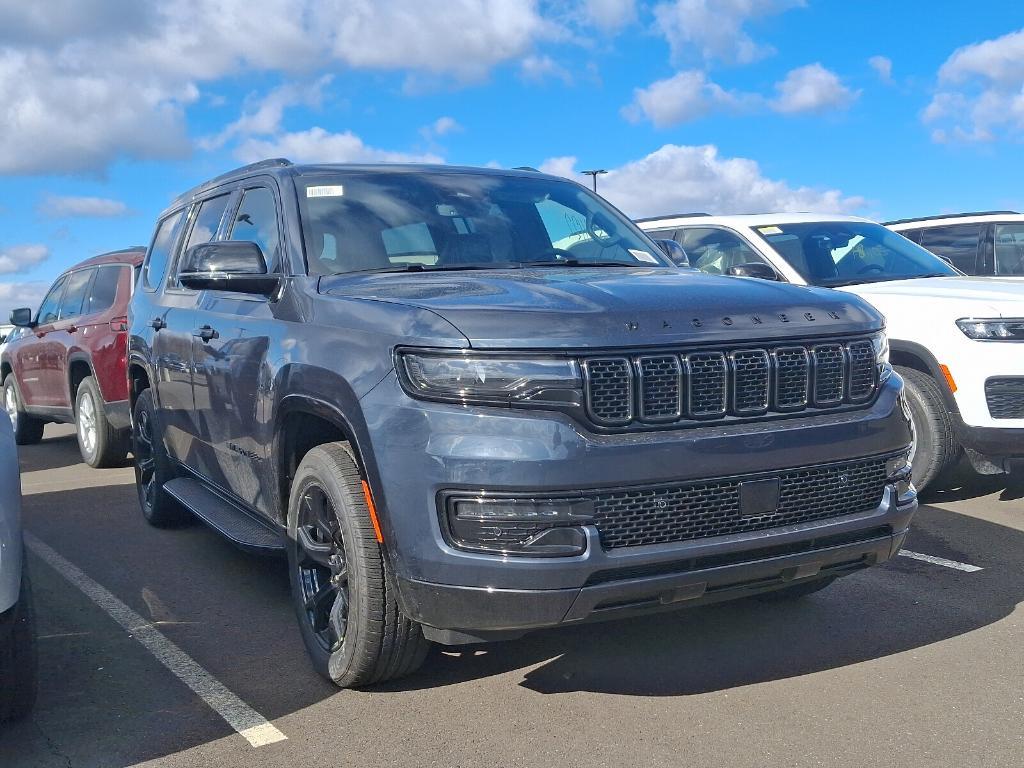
[[687, 96]]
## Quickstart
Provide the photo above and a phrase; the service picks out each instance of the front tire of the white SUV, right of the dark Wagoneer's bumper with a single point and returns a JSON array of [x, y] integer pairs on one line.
[[935, 448]]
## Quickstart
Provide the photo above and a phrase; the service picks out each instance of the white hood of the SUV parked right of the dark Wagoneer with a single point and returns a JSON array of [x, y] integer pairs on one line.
[[963, 297]]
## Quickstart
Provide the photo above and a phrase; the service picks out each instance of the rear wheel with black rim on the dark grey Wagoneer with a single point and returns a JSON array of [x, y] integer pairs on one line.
[[153, 467]]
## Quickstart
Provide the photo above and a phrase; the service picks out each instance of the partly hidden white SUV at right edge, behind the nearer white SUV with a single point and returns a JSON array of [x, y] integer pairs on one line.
[[989, 243]]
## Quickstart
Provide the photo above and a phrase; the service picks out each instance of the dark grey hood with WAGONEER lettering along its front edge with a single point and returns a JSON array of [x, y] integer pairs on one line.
[[579, 308]]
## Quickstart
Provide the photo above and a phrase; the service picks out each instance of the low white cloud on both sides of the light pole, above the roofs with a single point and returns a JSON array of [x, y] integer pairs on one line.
[[696, 179]]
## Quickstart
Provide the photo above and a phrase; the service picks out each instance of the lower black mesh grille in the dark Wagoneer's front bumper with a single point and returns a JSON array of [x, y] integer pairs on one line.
[[701, 510]]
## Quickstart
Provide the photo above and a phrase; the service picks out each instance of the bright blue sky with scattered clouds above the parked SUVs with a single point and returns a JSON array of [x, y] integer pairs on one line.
[[112, 108]]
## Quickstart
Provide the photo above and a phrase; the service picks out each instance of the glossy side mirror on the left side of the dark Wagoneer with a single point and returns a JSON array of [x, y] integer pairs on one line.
[[235, 266]]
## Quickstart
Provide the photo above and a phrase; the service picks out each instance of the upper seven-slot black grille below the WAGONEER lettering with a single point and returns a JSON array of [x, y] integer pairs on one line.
[[671, 388]]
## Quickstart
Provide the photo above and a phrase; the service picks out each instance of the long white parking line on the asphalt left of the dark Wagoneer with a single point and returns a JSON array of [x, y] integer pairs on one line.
[[249, 723]]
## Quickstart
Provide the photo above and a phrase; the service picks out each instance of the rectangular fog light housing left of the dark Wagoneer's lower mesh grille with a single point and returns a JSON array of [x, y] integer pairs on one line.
[[528, 528]]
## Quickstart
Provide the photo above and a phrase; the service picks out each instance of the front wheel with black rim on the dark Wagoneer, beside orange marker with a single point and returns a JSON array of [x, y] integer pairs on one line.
[[343, 587]]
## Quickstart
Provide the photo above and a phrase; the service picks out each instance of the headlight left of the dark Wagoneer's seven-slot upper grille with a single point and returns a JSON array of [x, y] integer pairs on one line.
[[459, 377]]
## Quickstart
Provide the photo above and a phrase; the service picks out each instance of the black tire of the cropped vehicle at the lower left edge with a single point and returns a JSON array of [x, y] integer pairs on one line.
[[18, 660]]
